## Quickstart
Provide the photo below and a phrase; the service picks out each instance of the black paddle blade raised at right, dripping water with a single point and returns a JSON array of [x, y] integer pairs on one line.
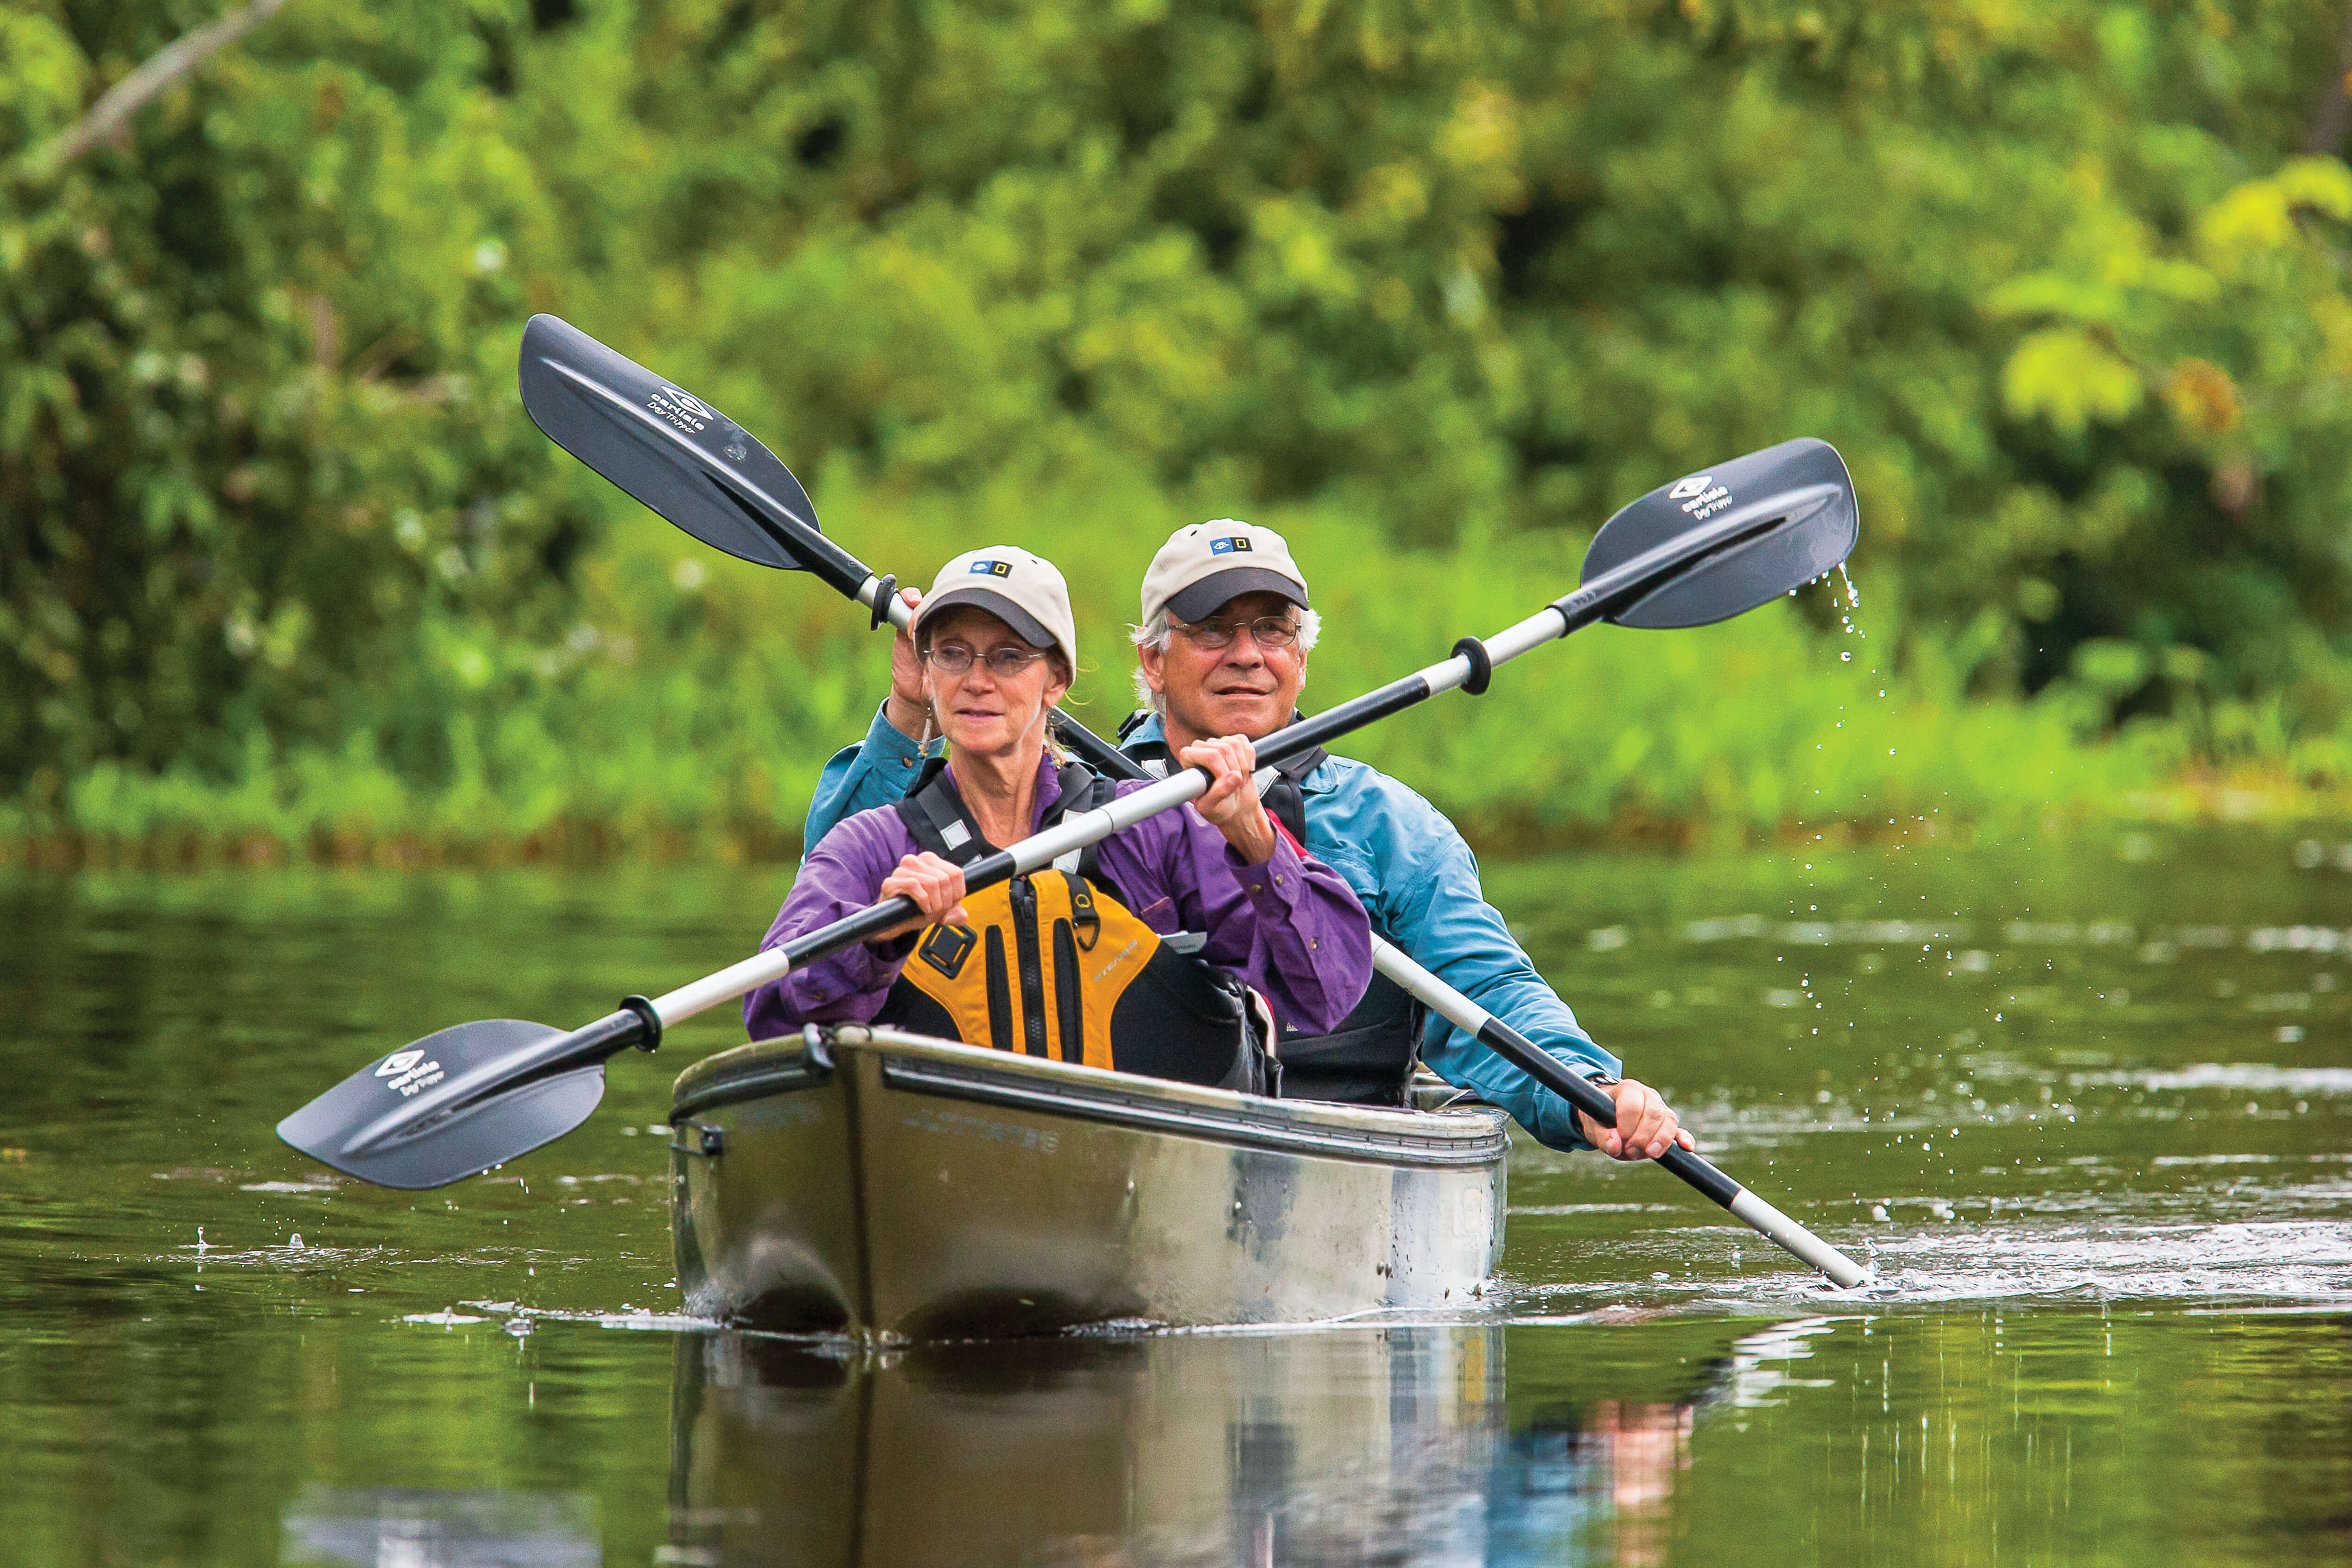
[[1800, 500]]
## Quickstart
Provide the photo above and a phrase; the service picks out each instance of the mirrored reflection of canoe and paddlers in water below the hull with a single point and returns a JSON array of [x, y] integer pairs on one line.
[[1398, 1447]]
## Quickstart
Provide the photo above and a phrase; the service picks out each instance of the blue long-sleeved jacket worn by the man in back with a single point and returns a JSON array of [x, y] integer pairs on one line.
[[1415, 878]]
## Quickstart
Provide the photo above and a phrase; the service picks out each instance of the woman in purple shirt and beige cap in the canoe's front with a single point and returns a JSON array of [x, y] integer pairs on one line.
[[1067, 963]]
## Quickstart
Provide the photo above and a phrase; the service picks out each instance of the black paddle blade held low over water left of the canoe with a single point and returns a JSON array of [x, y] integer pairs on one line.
[[448, 1106]]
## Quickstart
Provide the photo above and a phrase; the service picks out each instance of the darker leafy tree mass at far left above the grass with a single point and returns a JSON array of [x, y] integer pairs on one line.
[[258, 427]]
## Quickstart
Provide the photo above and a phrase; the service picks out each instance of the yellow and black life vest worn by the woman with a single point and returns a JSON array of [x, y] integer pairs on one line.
[[1055, 965]]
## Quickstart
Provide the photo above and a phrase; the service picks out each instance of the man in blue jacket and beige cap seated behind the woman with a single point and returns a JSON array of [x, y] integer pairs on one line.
[[1224, 650]]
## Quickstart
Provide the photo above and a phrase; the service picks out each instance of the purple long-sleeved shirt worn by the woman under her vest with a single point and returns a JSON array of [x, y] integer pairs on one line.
[[1292, 927]]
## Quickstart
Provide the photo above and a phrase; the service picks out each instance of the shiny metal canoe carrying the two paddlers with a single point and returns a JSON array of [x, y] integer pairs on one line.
[[890, 1186]]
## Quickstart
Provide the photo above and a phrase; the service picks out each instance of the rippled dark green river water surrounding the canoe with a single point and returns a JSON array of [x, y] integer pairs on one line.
[[2087, 1106]]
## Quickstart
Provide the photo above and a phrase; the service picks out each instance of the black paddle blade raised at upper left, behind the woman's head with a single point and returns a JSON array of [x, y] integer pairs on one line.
[[664, 445]]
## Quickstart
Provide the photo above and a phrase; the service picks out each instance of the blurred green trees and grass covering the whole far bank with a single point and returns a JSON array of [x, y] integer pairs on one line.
[[1434, 286]]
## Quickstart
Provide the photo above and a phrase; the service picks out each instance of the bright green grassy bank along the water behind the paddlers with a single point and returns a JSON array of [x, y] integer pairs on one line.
[[693, 704]]
